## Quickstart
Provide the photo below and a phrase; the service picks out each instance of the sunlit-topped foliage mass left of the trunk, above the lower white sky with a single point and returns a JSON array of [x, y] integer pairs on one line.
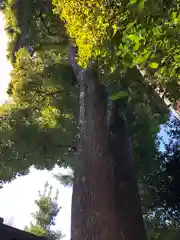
[[39, 125]]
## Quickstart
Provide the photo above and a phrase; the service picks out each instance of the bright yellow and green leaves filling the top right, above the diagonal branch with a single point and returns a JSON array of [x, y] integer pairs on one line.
[[127, 33]]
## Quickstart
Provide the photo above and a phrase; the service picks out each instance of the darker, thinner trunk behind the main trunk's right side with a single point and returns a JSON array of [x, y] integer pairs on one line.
[[128, 202]]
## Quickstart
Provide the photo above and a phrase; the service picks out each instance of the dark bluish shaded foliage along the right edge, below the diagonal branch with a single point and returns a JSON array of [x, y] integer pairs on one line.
[[163, 216]]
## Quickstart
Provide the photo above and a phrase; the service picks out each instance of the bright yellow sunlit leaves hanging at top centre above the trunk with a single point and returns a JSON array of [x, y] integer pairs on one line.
[[91, 19]]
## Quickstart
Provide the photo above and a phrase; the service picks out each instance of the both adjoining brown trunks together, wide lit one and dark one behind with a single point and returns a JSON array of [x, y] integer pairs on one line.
[[105, 203]]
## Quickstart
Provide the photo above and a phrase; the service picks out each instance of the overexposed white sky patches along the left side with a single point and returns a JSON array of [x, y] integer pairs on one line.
[[17, 198]]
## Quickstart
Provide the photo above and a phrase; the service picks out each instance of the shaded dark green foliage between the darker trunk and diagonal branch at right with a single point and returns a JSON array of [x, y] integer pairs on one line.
[[145, 112]]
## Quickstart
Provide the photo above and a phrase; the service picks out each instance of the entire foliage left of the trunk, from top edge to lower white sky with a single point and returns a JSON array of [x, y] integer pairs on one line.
[[38, 126]]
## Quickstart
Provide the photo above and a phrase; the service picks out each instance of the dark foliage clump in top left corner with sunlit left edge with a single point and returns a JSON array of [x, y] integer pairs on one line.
[[32, 24]]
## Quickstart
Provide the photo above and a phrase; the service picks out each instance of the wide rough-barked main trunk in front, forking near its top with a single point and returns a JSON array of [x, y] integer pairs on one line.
[[94, 216]]
